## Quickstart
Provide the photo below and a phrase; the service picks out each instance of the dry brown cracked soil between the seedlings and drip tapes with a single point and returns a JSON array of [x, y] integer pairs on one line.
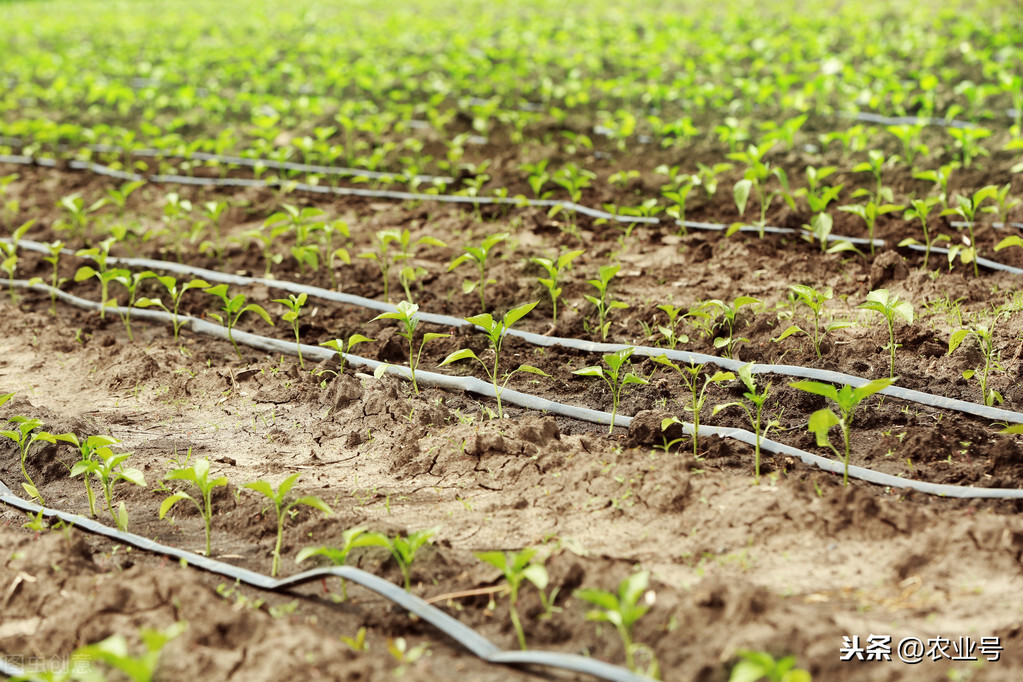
[[790, 566]]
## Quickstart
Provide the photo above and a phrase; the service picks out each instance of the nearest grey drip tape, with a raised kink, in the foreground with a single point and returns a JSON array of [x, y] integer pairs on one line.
[[463, 634]]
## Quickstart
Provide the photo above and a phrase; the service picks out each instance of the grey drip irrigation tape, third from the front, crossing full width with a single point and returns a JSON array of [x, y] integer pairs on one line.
[[940, 402]]
